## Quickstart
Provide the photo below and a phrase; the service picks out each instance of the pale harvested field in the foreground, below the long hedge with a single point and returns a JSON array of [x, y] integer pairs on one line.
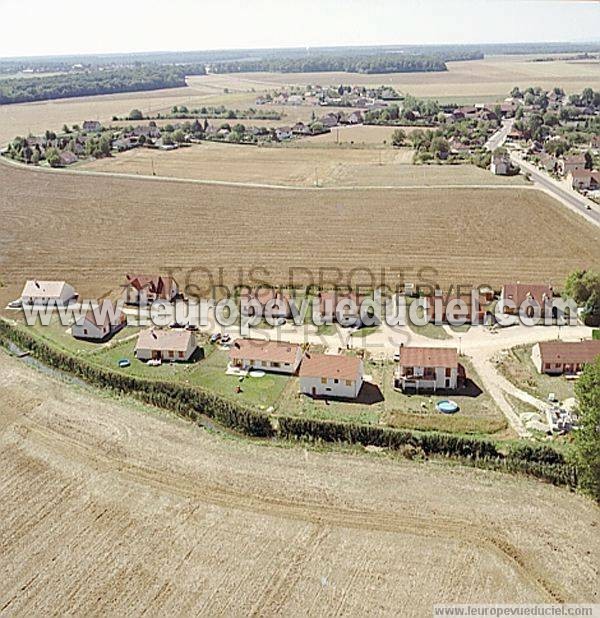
[[139, 511]]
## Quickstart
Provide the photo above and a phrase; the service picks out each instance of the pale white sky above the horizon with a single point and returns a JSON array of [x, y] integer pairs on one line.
[[45, 27]]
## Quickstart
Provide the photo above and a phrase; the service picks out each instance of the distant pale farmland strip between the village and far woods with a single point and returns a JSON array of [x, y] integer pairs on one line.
[[485, 80]]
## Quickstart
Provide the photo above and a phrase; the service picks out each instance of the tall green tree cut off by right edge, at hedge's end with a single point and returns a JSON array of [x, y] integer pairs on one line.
[[587, 438]]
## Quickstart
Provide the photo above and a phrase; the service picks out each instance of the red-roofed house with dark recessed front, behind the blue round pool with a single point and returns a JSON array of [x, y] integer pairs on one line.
[[428, 369]]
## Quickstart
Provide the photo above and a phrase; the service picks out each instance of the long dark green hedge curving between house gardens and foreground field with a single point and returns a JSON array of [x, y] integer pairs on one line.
[[541, 461]]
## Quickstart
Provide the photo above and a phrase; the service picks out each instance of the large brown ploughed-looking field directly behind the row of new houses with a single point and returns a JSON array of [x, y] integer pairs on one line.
[[90, 230]]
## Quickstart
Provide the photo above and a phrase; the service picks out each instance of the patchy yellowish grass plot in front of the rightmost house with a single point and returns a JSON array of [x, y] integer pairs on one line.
[[518, 368]]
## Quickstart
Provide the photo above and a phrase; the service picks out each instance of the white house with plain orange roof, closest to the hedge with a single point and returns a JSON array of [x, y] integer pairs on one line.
[[328, 375]]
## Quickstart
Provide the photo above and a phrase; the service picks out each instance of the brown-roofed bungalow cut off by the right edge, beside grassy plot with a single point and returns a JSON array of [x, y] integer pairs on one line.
[[561, 357]]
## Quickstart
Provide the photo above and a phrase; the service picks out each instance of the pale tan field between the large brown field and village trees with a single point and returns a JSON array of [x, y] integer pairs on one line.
[[300, 165]]
